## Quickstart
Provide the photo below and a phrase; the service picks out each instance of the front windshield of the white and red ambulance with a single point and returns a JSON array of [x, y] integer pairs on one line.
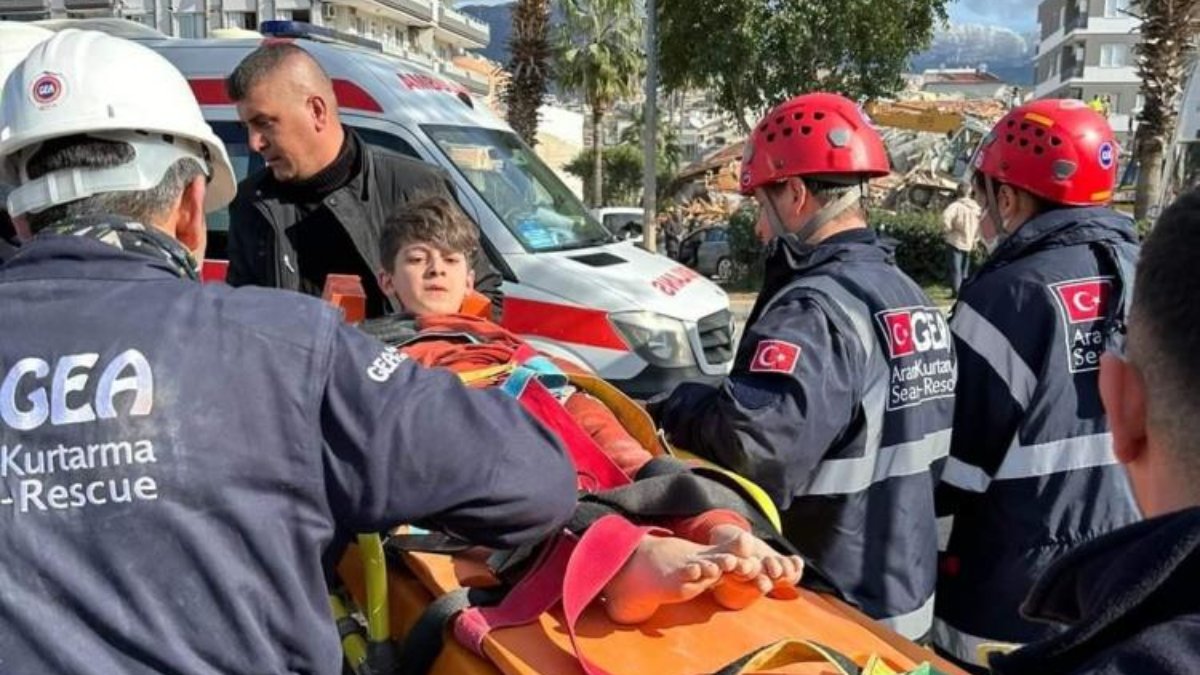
[[525, 193]]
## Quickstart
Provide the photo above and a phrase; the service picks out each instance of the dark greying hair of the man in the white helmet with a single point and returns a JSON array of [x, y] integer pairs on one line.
[[83, 152]]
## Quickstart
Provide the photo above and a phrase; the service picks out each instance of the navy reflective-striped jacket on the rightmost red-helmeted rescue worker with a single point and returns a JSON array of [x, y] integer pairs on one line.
[[1031, 473]]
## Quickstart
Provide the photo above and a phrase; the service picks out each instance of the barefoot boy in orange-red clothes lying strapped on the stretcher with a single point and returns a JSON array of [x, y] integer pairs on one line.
[[427, 259]]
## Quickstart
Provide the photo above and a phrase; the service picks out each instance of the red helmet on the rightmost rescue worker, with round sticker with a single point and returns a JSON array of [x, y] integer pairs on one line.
[[1059, 150]]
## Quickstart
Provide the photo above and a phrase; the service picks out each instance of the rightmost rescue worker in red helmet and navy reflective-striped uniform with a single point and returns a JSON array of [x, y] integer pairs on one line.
[[1031, 473]]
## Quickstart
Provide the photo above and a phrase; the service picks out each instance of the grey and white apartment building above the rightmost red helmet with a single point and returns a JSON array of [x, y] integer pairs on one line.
[[1087, 51]]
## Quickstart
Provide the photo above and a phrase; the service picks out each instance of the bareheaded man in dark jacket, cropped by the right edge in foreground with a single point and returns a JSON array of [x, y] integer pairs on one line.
[[1131, 596]]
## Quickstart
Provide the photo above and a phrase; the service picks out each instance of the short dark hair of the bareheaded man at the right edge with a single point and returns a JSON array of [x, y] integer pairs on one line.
[[1165, 325]]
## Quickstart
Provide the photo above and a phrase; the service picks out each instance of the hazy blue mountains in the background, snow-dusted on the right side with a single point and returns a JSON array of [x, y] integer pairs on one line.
[[1001, 51]]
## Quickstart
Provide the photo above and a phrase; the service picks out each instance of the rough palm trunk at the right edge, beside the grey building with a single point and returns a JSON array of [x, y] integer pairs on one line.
[[1168, 44]]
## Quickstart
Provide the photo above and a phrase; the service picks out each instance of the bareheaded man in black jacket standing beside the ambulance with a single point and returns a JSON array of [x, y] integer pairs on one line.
[[319, 206]]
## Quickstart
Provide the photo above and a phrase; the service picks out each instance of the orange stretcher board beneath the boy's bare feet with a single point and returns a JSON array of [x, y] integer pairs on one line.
[[693, 638]]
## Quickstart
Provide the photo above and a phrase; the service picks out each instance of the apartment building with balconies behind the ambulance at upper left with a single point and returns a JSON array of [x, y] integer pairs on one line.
[[429, 32]]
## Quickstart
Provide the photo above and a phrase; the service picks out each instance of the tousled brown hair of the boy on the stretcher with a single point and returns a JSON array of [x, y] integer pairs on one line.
[[434, 220]]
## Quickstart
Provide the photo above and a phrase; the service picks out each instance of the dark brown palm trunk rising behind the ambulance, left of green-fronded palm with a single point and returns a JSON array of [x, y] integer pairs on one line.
[[530, 65]]
